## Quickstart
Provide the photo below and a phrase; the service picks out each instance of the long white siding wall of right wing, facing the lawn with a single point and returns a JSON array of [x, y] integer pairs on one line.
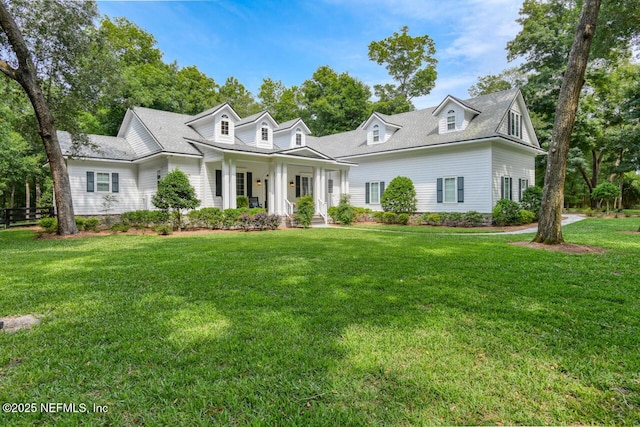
[[473, 162]]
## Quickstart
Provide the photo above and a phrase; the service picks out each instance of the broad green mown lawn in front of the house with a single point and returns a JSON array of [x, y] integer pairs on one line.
[[324, 327]]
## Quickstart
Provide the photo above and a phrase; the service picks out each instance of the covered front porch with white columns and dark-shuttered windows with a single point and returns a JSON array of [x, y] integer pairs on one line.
[[274, 183]]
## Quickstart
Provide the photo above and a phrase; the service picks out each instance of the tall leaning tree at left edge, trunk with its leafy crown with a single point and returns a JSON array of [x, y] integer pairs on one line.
[[48, 52]]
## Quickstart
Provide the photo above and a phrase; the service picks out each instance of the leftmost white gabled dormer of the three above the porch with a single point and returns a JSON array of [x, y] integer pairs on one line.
[[217, 124]]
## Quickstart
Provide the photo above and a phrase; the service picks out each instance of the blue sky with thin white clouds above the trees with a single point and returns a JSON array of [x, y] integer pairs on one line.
[[289, 40]]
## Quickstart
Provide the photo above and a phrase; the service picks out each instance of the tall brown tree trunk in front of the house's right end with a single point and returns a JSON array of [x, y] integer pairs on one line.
[[550, 224]]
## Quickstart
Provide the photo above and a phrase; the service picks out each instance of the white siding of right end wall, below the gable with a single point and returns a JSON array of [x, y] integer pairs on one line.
[[517, 164]]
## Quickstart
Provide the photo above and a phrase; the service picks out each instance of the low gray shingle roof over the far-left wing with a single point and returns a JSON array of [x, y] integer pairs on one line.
[[100, 147]]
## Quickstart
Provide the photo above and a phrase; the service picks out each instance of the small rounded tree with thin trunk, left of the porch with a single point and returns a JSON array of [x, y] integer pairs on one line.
[[175, 194]]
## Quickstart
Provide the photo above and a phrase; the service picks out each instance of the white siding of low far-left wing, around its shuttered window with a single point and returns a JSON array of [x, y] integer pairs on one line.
[[91, 203]]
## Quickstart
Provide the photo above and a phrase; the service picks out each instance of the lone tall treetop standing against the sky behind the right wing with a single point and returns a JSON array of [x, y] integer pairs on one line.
[[410, 62]]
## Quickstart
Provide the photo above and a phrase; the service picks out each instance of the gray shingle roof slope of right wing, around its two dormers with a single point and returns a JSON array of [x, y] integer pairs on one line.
[[420, 129]]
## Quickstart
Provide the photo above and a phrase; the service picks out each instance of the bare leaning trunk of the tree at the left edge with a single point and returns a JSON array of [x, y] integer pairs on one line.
[[25, 74]]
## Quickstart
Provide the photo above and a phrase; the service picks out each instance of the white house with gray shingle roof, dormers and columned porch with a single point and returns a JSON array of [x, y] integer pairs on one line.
[[460, 155]]
